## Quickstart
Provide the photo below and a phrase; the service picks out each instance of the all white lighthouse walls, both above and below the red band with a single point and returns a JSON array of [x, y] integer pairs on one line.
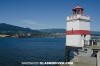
[[75, 23]]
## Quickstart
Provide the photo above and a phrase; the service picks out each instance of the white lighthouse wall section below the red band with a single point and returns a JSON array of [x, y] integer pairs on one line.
[[76, 40]]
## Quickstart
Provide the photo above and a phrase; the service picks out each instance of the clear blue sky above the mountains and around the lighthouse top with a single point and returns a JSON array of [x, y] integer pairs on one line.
[[44, 14]]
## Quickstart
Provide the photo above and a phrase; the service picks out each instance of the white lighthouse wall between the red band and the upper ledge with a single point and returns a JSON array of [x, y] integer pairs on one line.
[[78, 25]]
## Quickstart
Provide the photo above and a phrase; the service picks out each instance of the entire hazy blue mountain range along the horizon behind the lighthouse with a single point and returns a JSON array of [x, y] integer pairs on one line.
[[7, 28]]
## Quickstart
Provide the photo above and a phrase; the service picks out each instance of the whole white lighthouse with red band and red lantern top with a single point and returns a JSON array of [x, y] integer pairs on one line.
[[78, 30]]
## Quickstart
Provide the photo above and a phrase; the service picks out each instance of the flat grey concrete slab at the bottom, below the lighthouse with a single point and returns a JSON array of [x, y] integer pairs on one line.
[[84, 61]]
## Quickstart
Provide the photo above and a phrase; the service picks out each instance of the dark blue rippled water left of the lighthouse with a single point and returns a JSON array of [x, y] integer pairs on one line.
[[14, 51]]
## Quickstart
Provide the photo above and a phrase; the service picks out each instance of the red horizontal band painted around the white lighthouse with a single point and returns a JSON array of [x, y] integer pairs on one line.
[[78, 32]]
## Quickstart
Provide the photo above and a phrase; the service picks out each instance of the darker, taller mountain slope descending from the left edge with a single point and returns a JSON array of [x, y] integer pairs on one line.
[[15, 29]]
